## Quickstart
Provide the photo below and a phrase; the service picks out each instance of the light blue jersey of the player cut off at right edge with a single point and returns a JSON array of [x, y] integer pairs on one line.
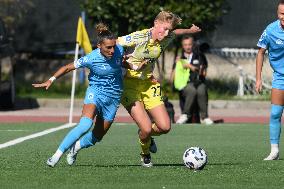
[[272, 39]]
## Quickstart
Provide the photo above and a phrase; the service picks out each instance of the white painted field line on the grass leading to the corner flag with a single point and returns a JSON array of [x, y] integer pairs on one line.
[[35, 135]]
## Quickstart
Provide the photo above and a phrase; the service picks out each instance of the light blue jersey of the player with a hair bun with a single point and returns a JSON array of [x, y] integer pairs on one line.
[[105, 74]]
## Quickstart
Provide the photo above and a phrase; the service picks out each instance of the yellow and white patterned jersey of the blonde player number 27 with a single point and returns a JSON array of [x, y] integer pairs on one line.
[[142, 47]]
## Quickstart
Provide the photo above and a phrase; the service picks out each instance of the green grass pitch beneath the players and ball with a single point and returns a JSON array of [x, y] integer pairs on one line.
[[235, 153]]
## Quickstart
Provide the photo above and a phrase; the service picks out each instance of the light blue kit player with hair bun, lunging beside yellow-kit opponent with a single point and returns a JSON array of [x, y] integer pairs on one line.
[[103, 94]]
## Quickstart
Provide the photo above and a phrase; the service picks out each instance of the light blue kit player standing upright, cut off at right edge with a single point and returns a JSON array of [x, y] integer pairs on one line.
[[272, 39]]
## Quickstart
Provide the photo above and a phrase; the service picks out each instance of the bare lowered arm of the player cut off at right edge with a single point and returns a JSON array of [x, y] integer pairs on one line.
[[259, 64]]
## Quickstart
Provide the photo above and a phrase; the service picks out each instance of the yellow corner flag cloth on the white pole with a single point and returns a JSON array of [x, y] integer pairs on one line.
[[82, 37]]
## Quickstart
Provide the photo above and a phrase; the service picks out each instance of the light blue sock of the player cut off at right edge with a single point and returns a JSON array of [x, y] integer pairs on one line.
[[275, 123]]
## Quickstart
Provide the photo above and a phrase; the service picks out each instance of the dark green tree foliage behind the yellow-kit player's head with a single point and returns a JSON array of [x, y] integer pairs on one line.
[[125, 16]]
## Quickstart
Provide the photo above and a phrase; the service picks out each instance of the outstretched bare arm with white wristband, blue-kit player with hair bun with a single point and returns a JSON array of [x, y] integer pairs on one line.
[[60, 72]]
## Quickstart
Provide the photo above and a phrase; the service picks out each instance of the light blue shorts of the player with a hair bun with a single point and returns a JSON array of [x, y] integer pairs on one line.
[[106, 107]]
